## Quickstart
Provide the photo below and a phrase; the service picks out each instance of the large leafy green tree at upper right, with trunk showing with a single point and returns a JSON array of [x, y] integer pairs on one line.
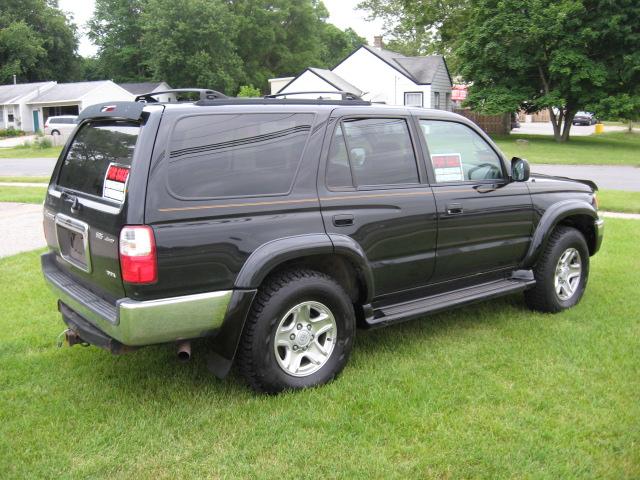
[[559, 55]]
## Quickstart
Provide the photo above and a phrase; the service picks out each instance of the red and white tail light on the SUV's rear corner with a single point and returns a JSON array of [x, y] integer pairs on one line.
[[138, 255]]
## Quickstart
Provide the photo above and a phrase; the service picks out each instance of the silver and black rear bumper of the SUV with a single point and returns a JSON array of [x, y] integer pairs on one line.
[[135, 323]]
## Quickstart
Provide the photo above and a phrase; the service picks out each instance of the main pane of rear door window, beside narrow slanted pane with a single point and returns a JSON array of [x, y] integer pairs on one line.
[[380, 151]]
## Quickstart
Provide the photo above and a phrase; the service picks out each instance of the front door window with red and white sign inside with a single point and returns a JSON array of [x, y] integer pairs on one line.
[[458, 153]]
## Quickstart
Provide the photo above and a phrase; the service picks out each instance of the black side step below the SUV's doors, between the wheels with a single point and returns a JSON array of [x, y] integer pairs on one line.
[[401, 312]]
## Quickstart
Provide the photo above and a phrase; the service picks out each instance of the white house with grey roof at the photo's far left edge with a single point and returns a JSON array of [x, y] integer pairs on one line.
[[14, 112]]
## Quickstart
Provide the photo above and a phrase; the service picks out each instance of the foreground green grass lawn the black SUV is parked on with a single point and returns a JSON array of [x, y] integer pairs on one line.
[[489, 391]]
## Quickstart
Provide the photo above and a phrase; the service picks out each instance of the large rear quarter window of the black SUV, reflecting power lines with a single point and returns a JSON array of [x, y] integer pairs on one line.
[[236, 155]]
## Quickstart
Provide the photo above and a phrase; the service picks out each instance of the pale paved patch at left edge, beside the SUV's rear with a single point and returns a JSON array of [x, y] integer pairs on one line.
[[21, 228]]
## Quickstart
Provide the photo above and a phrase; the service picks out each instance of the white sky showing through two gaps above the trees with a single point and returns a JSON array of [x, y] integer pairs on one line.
[[341, 13]]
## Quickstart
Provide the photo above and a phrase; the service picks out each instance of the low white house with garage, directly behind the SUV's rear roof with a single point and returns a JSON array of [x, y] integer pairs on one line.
[[70, 99]]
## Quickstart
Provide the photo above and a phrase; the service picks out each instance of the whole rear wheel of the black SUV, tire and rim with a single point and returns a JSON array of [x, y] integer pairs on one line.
[[296, 308]]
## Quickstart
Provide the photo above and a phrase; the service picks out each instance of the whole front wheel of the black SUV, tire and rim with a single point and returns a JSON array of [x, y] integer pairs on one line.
[[565, 250]]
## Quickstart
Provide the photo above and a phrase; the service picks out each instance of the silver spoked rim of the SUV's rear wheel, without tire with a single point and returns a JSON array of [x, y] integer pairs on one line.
[[305, 338]]
